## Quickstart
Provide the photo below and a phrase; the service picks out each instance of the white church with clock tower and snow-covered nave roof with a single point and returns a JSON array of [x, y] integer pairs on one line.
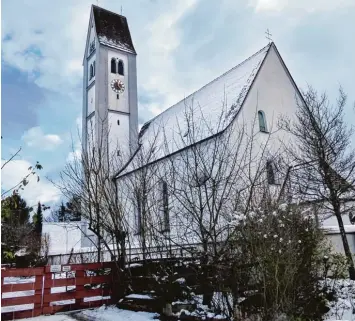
[[247, 99]]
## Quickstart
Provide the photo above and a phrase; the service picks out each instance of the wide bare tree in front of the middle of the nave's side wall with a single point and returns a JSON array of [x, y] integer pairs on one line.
[[205, 180]]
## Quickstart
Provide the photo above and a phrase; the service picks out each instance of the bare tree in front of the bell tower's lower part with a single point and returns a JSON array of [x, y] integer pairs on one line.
[[87, 178]]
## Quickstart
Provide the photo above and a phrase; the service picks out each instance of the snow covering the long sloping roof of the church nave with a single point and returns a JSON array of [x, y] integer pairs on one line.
[[225, 93]]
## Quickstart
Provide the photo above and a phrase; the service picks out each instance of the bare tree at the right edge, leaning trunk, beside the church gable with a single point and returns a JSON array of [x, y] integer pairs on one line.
[[322, 153]]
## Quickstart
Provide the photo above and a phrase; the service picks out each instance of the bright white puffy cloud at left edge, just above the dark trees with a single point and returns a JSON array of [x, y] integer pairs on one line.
[[34, 192]]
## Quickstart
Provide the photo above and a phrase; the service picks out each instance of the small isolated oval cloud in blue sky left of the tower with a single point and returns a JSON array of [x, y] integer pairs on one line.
[[35, 138]]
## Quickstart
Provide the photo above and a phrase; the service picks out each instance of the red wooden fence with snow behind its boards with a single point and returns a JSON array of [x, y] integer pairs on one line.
[[78, 286]]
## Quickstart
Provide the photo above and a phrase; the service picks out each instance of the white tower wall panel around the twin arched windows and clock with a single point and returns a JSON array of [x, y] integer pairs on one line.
[[122, 103]]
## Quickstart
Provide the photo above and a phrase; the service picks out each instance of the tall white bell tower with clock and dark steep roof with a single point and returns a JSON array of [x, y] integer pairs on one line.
[[110, 111]]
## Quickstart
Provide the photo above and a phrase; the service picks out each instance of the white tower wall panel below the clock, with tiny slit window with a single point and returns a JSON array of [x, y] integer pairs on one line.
[[118, 127]]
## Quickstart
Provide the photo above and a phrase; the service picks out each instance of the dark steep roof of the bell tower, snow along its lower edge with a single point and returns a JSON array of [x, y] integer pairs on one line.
[[112, 30]]
